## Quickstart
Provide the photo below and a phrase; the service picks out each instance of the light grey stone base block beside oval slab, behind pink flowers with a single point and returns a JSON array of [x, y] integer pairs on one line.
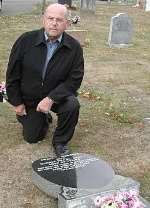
[[68, 198]]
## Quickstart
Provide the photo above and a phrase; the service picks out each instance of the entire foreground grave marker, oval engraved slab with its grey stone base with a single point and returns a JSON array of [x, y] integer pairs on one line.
[[78, 179]]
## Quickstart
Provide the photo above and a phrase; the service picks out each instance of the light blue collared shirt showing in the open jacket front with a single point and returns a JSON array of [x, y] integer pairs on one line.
[[51, 47]]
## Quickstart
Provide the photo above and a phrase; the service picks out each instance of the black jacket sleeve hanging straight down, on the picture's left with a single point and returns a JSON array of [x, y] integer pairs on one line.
[[13, 74]]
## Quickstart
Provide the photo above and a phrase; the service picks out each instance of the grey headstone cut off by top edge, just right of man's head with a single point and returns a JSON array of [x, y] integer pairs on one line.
[[88, 5]]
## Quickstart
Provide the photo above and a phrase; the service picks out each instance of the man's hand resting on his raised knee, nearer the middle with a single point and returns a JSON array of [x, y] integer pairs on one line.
[[45, 105]]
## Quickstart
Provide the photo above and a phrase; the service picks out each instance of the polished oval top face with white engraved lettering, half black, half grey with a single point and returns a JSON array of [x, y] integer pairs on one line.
[[81, 171]]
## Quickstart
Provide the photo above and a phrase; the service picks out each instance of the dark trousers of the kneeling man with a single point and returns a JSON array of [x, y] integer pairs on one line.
[[35, 124]]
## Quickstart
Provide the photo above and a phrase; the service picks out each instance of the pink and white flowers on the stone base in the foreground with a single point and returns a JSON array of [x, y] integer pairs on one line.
[[120, 199]]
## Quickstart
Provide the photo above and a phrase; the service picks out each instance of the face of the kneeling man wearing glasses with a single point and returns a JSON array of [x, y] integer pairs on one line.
[[55, 22]]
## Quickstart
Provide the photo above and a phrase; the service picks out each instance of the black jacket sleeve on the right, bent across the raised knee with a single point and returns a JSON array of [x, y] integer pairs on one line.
[[72, 83]]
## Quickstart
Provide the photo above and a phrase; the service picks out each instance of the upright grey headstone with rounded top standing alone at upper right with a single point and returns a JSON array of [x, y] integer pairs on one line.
[[121, 30]]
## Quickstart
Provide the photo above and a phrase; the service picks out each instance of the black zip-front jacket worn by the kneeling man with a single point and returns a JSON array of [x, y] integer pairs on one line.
[[24, 73]]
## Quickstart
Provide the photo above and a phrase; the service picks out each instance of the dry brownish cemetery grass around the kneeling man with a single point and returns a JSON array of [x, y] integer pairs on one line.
[[114, 96]]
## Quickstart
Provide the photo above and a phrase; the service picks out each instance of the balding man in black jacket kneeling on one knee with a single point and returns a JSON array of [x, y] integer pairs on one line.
[[44, 72]]
